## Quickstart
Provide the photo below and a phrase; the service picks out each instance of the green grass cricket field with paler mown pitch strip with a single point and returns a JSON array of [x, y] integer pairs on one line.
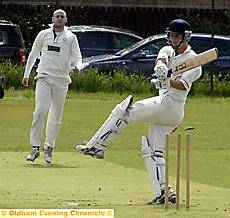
[[120, 181]]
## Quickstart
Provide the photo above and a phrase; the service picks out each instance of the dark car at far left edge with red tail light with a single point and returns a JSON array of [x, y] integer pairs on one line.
[[11, 43]]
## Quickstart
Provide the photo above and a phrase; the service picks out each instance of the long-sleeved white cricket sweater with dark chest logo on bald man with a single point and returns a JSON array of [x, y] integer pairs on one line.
[[58, 52]]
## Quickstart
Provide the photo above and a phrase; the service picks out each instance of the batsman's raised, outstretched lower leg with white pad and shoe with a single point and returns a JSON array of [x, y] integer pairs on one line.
[[114, 124]]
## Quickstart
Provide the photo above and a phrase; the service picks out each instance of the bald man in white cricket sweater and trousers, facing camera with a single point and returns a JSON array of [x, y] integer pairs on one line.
[[59, 52]]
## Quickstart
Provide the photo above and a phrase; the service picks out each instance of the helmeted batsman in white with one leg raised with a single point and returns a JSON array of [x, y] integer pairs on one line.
[[164, 112]]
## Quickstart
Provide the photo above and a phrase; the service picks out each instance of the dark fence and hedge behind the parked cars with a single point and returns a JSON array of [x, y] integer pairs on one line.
[[145, 20]]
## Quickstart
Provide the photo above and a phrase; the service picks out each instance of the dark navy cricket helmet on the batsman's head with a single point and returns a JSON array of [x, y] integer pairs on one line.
[[180, 26]]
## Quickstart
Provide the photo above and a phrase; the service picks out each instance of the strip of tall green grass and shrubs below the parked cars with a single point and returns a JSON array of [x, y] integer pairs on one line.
[[119, 82]]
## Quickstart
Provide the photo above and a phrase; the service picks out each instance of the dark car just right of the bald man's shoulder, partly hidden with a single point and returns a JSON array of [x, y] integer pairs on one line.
[[99, 40]]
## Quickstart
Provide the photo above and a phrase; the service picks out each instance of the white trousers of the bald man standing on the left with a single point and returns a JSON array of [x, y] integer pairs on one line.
[[50, 96]]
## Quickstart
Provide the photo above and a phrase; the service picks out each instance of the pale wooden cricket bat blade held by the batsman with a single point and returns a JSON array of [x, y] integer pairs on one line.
[[199, 60]]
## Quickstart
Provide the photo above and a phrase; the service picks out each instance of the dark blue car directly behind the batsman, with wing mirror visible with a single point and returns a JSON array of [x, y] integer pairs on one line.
[[140, 57]]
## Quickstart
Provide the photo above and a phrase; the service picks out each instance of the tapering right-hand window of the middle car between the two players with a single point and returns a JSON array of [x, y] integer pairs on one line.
[[120, 41]]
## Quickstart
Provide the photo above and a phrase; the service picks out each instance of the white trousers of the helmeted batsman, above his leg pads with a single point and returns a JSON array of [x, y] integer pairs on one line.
[[163, 116]]
